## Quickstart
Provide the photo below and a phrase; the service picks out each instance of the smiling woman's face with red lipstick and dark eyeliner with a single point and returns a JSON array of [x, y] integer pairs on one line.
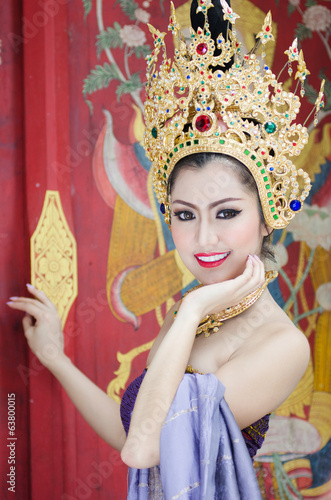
[[215, 222]]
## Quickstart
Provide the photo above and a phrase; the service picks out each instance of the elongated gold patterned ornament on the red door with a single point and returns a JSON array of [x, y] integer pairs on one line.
[[54, 256]]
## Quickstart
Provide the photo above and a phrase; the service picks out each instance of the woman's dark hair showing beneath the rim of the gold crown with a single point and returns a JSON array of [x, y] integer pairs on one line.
[[199, 160]]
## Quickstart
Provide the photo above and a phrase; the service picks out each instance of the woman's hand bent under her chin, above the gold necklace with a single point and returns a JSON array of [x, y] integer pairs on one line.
[[214, 298]]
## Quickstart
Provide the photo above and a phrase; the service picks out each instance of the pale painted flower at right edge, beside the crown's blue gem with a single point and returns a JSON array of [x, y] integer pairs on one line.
[[312, 225]]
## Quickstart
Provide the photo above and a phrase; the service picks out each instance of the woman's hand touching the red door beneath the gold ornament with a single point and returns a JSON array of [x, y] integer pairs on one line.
[[42, 325]]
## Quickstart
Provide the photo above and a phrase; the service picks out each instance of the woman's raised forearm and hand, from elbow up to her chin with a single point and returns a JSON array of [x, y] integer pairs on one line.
[[142, 447]]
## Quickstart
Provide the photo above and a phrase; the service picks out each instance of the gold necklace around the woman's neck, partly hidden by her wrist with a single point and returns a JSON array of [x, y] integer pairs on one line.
[[212, 322]]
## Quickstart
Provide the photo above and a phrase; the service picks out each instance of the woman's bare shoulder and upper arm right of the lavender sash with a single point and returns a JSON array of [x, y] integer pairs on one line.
[[265, 371]]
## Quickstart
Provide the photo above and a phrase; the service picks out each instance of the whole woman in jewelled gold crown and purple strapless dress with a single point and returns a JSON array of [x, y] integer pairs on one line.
[[224, 182]]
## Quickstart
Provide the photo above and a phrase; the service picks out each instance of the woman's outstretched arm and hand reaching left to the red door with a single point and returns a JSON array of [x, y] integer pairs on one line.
[[45, 339]]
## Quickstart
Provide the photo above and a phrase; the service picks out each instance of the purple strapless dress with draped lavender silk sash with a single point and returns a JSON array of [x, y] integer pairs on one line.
[[203, 453]]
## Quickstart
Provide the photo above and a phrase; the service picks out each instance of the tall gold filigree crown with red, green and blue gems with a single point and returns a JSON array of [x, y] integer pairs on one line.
[[194, 105]]
